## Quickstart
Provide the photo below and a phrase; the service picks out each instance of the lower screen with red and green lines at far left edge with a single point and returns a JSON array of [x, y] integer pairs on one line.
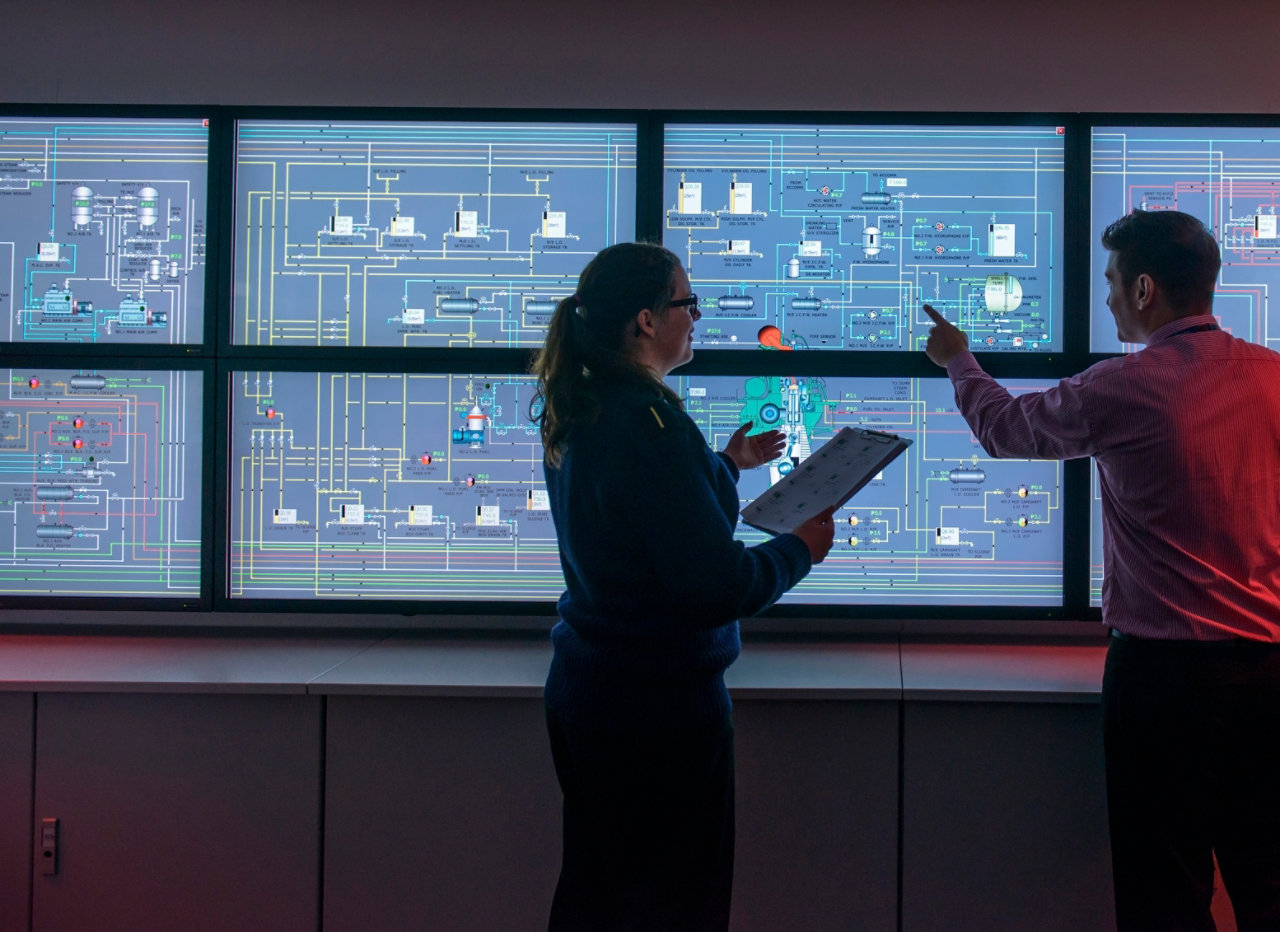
[[102, 492]]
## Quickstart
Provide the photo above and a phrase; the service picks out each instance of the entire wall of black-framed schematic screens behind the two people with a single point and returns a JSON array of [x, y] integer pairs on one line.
[[266, 360]]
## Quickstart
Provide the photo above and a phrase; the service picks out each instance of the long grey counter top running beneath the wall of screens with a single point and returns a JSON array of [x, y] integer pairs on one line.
[[518, 668]]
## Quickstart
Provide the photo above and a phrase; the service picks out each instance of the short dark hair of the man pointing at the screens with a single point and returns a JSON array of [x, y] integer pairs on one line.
[[1171, 246]]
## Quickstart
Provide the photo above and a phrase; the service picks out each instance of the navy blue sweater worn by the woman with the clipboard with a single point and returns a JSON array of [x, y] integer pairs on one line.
[[644, 513]]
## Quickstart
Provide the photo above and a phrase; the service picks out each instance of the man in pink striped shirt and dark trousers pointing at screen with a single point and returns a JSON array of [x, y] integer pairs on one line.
[[1186, 435]]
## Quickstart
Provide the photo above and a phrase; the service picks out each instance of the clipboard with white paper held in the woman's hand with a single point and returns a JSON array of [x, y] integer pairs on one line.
[[826, 478]]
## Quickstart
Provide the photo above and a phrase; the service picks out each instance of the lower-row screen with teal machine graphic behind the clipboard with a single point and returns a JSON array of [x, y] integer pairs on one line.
[[945, 524]]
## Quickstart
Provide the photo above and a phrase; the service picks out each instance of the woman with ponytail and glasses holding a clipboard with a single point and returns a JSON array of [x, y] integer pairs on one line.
[[637, 707]]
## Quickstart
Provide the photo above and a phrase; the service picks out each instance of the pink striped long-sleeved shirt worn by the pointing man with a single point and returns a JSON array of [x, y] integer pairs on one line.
[[1187, 440]]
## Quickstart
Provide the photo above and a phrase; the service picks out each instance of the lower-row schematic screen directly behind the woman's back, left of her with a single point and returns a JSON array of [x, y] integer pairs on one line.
[[388, 486]]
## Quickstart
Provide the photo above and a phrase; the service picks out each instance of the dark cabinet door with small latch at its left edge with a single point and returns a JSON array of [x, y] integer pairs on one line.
[[180, 812]]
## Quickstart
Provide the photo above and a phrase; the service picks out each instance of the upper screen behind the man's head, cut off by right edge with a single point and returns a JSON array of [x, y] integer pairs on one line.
[[1229, 177]]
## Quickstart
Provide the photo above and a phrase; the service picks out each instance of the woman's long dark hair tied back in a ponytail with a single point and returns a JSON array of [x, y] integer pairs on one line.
[[587, 340]]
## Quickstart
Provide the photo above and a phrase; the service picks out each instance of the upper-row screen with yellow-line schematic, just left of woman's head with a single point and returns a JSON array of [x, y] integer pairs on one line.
[[374, 234]]
